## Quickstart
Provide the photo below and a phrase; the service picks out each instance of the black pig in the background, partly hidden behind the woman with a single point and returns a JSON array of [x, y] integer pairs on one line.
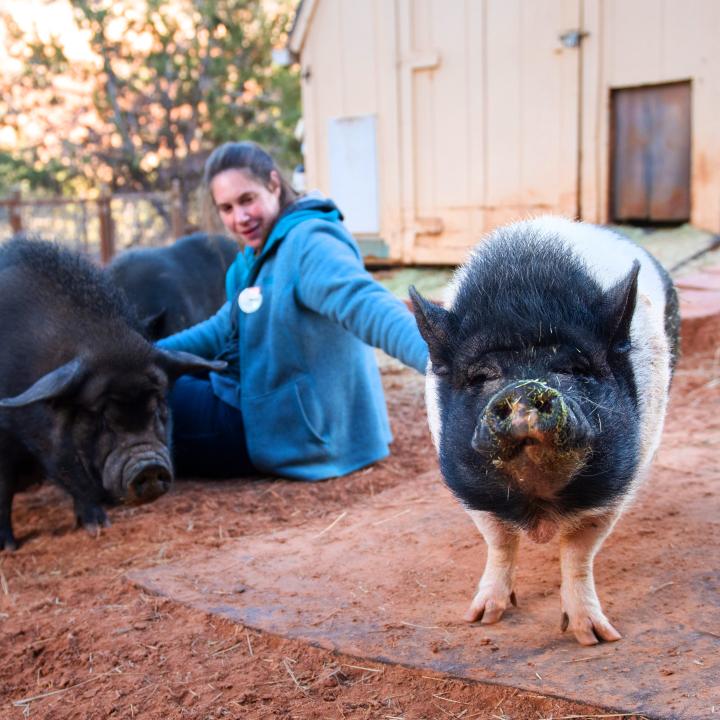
[[172, 288]]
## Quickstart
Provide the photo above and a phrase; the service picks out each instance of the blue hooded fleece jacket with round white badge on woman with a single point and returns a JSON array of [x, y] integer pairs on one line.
[[304, 376]]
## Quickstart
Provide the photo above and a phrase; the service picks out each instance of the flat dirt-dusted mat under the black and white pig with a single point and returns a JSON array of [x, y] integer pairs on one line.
[[389, 581]]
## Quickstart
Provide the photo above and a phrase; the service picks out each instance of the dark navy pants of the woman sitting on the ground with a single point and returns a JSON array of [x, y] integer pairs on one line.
[[208, 435]]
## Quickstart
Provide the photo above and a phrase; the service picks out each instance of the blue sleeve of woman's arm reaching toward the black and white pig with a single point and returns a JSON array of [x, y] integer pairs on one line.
[[334, 283]]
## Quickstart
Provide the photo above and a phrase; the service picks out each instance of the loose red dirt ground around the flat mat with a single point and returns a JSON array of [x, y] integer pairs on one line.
[[80, 641]]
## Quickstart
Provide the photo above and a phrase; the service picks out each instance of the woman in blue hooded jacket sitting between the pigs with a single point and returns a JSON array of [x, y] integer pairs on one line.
[[301, 396]]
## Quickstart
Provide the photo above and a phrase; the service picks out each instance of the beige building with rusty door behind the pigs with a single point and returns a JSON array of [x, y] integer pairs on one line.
[[432, 121]]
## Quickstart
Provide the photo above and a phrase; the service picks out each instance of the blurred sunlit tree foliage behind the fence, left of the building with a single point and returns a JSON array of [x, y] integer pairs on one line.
[[168, 80]]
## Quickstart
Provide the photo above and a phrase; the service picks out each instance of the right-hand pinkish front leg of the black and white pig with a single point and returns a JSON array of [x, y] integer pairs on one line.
[[581, 608]]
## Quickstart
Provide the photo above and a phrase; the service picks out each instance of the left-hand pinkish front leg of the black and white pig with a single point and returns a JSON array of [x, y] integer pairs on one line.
[[495, 589]]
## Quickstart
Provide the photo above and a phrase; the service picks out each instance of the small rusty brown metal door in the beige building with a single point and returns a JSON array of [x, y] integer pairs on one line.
[[651, 154]]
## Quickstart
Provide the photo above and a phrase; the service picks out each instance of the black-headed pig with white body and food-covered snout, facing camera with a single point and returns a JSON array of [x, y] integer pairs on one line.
[[546, 392]]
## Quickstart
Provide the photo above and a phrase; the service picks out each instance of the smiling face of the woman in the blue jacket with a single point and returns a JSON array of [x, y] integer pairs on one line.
[[247, 207]]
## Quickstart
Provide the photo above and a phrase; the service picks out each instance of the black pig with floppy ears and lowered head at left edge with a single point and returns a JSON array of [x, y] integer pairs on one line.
[[82, 393]]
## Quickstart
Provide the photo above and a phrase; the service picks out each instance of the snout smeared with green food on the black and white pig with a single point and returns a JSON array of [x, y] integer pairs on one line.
[[525, 413]]
